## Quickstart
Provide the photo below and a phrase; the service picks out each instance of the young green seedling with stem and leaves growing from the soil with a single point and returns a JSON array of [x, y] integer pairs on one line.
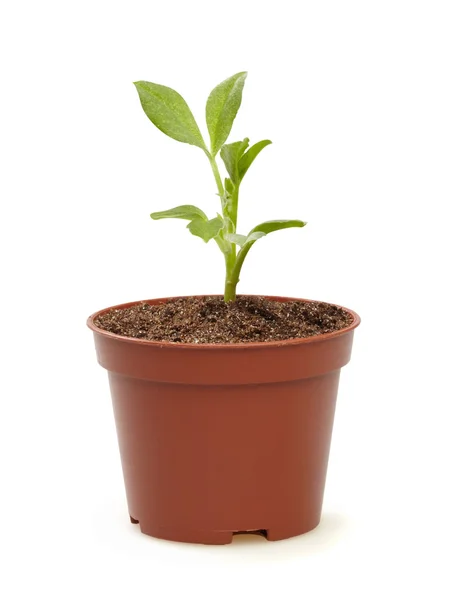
[[168, 111]]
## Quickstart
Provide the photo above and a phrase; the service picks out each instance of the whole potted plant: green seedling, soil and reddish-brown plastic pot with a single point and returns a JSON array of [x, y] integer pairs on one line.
[[224, 406]]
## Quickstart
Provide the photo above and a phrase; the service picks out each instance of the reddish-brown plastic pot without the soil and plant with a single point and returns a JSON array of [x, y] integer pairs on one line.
[[217, 439]]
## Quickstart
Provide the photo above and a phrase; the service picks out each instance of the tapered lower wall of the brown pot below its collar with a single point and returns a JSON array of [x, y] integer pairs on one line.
[[202, 462]]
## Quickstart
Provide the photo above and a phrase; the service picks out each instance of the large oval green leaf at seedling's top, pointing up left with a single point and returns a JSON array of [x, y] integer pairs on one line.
[[168, 111]]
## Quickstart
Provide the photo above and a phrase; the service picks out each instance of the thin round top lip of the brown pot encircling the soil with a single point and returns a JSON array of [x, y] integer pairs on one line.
[[163, 344]]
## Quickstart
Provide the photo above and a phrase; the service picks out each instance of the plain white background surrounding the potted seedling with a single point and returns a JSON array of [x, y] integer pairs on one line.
[[355, 96]]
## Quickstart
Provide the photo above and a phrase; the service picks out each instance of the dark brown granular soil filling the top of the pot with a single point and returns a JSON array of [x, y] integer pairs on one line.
[[210, 320]]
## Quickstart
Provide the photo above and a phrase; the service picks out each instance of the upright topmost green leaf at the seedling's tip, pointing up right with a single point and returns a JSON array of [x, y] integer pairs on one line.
[[221, 109]]
